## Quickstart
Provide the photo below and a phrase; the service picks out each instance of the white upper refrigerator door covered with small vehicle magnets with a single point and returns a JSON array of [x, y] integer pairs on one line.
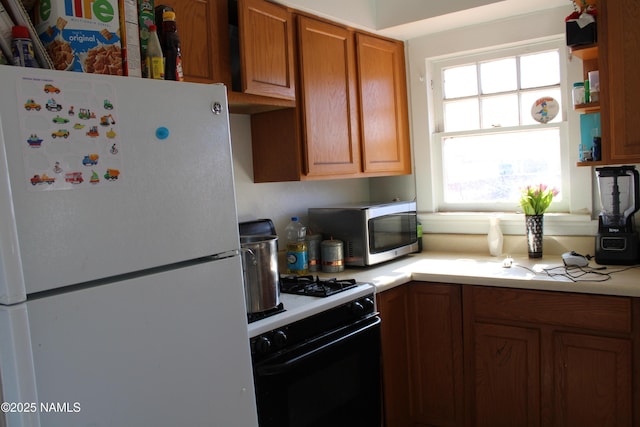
[[141, 178]]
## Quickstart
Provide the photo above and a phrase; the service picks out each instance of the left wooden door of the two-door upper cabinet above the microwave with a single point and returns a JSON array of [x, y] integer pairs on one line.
[[329, 98]]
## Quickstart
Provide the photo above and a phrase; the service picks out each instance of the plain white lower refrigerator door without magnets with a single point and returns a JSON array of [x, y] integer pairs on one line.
[[169, 349]]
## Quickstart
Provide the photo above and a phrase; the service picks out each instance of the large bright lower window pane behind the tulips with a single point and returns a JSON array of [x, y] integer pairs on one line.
[[487, 169]]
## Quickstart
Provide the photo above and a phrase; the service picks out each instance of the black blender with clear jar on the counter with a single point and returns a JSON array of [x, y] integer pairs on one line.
[[617, 240]]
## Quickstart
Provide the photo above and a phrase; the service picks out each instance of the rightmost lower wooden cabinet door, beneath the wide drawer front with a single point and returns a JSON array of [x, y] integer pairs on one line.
[[592, 381]]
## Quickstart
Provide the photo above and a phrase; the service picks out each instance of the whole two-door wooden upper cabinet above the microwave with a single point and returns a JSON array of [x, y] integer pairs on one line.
[[351, 118]]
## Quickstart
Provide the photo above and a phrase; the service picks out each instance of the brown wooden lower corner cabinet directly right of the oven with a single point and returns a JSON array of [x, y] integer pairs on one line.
[[422, 355]]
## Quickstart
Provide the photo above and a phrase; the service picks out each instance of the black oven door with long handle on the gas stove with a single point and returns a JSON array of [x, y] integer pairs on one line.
[[333, 380]]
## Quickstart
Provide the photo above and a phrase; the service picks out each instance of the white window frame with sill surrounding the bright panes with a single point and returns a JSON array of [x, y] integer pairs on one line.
[[439, 218]]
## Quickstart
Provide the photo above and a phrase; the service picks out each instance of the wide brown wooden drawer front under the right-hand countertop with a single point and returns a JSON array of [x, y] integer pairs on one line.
[[595, 312]]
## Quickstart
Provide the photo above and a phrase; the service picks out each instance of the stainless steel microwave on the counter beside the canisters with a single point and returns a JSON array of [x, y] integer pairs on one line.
[[371, 232]]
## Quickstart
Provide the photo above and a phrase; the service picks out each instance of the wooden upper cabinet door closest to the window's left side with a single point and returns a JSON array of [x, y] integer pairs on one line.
[[383, 106]]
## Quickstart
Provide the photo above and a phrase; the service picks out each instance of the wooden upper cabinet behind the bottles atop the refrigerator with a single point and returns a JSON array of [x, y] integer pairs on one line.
[[245, 44]]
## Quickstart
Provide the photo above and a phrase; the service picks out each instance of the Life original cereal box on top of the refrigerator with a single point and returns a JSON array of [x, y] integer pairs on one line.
[[81, 35]]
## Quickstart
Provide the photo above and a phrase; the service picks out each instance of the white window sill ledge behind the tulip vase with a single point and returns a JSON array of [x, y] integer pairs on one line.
[[555, 224]]
